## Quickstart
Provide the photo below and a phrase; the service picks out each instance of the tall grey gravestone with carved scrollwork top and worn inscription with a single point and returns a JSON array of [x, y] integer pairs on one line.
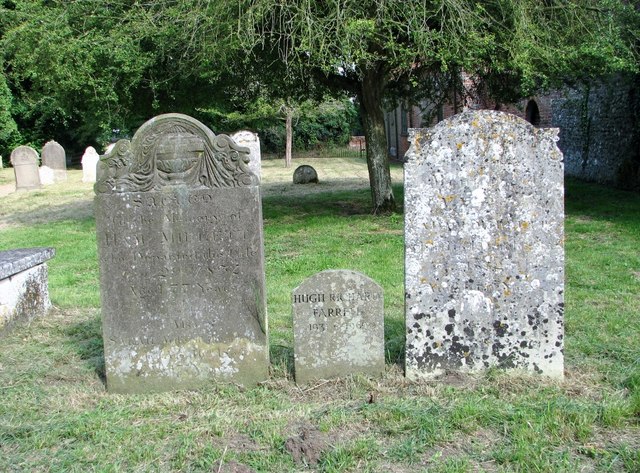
[[179, 230]]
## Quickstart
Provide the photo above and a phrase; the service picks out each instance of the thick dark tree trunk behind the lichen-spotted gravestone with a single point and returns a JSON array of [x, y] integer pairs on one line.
[[377, 158]]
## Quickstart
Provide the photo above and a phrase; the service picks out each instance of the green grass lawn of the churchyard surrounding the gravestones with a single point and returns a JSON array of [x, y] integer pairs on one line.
[[55, 414]]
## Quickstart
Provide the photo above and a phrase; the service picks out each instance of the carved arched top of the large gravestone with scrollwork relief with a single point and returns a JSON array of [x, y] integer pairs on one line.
[[174, 149]]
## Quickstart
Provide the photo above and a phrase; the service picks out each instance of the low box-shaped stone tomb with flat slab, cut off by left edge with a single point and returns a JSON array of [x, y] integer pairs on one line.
[[24, 287]]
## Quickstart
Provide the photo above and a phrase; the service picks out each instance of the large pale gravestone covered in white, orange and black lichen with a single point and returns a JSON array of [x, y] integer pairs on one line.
[[484, 259]]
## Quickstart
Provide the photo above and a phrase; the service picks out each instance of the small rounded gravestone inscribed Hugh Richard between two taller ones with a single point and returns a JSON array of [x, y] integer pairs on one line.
[[338, 326]]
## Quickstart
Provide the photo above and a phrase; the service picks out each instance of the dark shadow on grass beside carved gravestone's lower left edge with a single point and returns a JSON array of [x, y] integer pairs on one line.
[[85, 338]]
